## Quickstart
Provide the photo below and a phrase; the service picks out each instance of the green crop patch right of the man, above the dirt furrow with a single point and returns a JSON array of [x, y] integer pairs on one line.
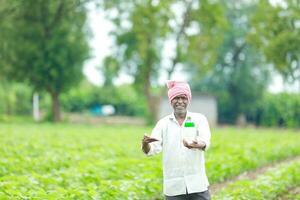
[[247, 149]]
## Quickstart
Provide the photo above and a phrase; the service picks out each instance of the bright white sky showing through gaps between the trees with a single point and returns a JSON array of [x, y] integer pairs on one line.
[[101, 43]]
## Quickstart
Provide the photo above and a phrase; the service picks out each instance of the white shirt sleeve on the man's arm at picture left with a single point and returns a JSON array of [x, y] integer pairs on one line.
[[156, 147]]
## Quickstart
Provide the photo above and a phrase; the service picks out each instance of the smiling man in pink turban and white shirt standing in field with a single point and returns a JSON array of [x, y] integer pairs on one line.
[[182, 137]]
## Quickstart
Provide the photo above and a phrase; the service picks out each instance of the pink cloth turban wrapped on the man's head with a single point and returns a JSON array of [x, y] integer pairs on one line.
[[178, 88]]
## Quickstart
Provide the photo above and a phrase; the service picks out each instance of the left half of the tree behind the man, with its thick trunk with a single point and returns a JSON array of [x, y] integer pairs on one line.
[[140, 30]]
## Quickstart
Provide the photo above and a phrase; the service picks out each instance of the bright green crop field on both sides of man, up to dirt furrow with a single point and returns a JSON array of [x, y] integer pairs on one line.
[[65, 161]]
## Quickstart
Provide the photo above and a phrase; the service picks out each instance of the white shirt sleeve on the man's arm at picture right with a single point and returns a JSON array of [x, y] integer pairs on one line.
[[203, 132]]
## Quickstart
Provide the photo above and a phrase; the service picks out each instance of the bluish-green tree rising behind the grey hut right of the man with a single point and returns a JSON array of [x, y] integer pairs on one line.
[[239, 76]]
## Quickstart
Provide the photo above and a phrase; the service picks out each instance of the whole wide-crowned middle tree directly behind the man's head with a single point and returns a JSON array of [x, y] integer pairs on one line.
[[143, 27]]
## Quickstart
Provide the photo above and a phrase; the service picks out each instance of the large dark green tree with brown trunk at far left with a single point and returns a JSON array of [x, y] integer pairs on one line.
[[47, 45]]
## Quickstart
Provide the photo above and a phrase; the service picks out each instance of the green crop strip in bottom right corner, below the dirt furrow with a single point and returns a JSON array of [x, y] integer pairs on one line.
[[270, 185]]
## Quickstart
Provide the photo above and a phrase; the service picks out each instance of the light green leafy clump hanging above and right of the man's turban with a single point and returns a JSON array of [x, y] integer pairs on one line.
[[208, 22]]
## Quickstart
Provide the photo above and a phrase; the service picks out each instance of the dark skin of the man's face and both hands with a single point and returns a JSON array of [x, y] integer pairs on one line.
[[179, 104]]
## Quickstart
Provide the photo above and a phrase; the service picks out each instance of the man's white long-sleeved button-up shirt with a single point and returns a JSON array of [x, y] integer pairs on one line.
[[183, 168]]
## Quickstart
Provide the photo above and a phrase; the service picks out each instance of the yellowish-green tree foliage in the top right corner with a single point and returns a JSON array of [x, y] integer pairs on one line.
[[276, 31]]
